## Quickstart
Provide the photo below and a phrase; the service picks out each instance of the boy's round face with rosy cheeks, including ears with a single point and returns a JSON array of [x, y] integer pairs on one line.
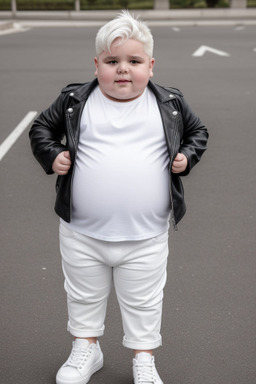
[[124, 73]]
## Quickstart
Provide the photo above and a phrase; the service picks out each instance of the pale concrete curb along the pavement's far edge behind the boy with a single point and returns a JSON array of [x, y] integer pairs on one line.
[[163, 17]]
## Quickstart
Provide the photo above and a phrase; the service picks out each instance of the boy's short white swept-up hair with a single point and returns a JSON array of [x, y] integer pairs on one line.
[[124, 27]]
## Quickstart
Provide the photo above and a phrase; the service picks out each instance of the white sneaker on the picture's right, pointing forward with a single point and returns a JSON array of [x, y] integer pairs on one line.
[[144, 370]]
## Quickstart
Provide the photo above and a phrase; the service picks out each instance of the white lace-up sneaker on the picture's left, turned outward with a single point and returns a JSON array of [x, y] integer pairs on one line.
[[85, 359]]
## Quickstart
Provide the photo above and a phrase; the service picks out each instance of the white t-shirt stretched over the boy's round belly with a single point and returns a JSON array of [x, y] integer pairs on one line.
[[120, 187]]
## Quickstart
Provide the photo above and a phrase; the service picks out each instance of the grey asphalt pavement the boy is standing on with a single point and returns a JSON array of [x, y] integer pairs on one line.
[[209, 321]]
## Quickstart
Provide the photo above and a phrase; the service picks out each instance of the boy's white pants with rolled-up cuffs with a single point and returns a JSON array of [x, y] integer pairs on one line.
[[138, 270]]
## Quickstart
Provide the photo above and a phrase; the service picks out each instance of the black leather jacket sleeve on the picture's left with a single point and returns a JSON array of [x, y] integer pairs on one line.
[[47, 133]]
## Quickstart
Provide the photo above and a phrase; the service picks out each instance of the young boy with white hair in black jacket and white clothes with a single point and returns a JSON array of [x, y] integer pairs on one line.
[[127, 142]]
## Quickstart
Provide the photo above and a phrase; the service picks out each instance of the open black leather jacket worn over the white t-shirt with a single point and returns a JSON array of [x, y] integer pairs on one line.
[[184, 133]]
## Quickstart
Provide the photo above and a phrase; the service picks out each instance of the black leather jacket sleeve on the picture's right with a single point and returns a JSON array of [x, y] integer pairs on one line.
[[195, 137]]
